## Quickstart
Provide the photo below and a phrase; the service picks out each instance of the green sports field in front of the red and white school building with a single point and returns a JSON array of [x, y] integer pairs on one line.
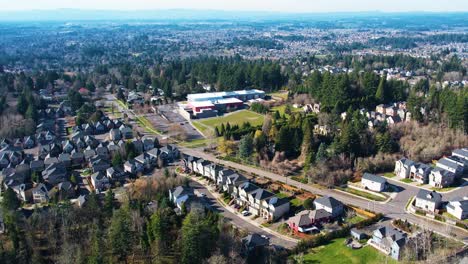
[[236, 118]]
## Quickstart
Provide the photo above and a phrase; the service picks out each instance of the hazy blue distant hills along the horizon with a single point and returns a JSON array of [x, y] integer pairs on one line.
[[185, 14]]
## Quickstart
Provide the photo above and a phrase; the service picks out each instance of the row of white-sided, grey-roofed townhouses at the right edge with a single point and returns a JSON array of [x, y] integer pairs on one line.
[[444, 174]]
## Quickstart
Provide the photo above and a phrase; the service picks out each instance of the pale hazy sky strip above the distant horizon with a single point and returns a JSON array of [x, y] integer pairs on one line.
[[295, 6]]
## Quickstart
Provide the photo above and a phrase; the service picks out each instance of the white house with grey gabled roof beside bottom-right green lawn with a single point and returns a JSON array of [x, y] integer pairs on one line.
[[389, 240]]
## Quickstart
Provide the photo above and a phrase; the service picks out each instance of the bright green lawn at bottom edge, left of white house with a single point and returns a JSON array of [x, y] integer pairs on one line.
[[338, 252]]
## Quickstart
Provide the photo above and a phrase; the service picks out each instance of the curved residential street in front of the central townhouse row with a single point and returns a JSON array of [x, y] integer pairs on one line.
[[237, 220]]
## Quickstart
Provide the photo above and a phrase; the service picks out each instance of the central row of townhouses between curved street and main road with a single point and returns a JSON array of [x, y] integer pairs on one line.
[[256, 200]]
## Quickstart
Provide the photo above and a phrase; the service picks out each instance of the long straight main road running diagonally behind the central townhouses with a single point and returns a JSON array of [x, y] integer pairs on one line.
[[393, 209]]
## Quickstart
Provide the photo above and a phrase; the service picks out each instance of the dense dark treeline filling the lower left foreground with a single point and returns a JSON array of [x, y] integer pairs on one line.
[[107, 231]]
